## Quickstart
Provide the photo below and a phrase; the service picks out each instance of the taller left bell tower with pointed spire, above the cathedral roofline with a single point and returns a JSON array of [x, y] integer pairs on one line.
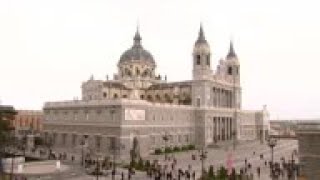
[[201, 58]]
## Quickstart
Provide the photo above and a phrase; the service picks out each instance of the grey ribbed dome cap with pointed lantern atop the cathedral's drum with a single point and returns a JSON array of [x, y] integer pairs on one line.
[[136, 52]]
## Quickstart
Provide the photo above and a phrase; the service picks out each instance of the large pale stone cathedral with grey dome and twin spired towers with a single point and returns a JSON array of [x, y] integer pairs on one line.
[[138, 103]]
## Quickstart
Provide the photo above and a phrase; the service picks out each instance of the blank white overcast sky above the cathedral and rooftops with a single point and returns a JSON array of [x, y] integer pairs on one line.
[[48, 48]]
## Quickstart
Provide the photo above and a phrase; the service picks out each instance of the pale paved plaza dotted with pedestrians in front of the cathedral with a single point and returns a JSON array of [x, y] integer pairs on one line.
[[245, 153]]
